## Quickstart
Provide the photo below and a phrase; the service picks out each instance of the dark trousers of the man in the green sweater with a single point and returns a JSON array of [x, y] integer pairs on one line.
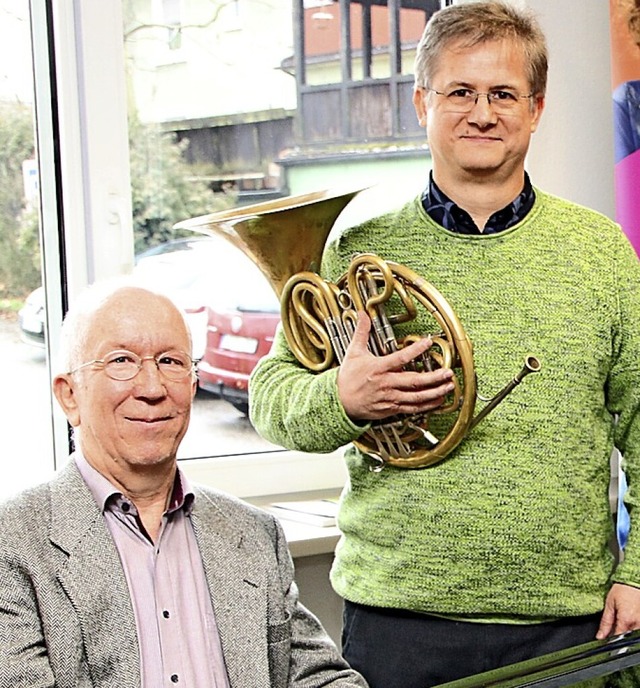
[[393, 648]]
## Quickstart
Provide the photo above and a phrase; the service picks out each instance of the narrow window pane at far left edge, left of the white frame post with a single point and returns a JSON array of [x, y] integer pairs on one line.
[[25, 401]]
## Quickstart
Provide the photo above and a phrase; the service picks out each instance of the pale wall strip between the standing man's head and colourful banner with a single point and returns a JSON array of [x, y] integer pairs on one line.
[[572, 151]]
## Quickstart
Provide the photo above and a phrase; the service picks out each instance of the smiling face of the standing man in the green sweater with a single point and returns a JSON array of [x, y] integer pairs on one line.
[[480, 144]]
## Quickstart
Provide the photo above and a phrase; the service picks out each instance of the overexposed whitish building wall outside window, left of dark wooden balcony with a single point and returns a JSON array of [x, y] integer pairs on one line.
[[197, 80]]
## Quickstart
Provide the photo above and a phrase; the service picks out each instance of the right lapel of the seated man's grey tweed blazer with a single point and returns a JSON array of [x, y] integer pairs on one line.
[[238, 591]]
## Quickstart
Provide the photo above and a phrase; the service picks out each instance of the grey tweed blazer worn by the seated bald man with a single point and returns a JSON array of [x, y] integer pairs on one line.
[[66, 618]]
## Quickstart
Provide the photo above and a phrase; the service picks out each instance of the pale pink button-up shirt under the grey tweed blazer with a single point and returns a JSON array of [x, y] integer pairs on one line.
[[175, 619]]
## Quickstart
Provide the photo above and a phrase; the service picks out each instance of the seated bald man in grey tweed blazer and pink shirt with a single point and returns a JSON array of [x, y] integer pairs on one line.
[[119, 572]]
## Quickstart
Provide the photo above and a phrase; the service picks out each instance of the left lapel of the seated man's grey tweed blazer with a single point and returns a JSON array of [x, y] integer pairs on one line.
[[91, 574]]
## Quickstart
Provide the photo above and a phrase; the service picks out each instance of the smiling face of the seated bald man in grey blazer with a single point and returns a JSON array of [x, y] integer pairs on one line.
[[128, 425]]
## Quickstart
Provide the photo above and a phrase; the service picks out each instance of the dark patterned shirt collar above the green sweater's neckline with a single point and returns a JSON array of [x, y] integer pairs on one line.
[[445, 212]]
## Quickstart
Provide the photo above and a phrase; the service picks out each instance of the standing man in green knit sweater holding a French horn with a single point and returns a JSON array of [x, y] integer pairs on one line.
[[499, 552]]
